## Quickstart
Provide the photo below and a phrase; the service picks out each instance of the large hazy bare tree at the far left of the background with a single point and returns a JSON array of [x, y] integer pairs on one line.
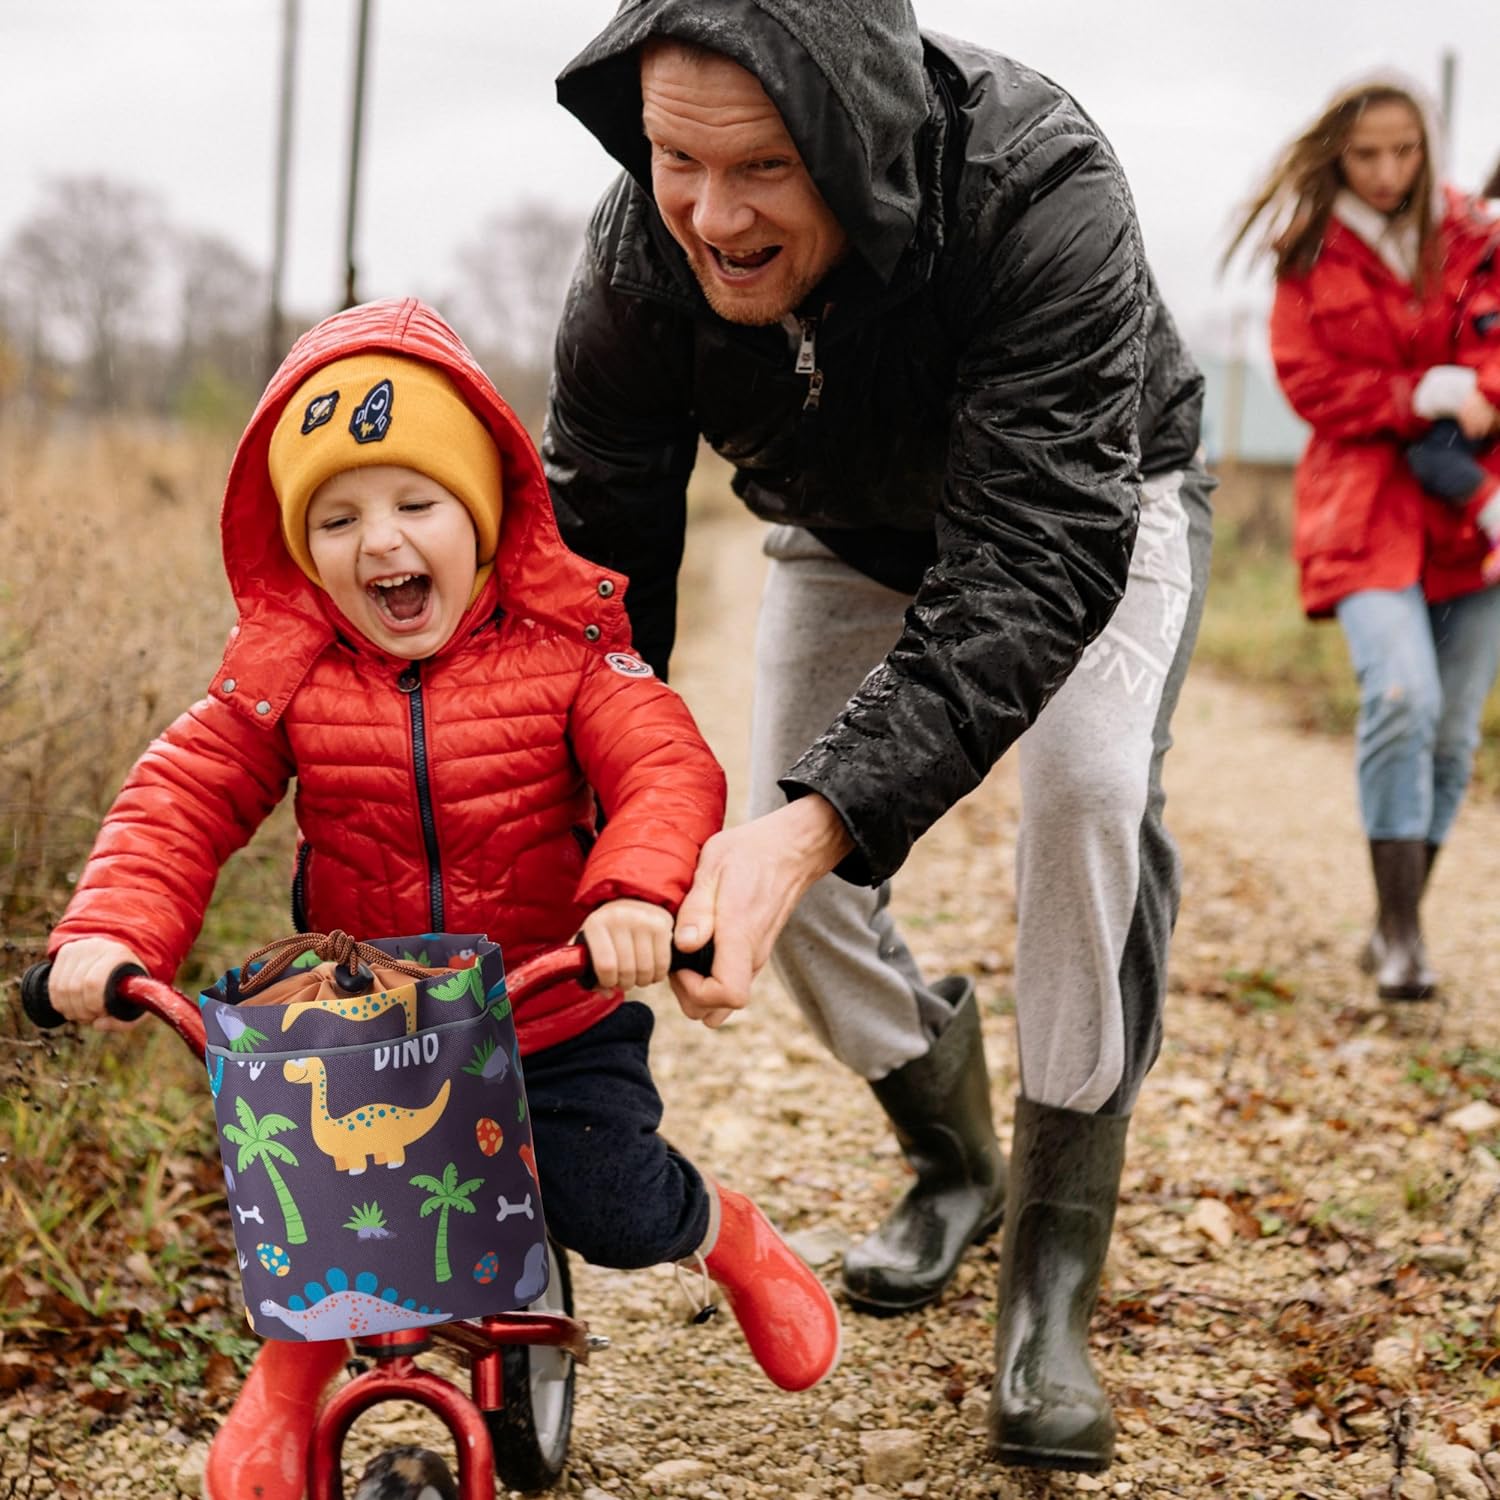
[[88, 260]]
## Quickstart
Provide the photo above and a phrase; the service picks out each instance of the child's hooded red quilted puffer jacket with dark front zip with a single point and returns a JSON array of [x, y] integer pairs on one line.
[[451, 794]]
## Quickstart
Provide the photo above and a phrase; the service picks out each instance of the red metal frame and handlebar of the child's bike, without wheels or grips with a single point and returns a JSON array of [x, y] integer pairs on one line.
[[397, 1375]]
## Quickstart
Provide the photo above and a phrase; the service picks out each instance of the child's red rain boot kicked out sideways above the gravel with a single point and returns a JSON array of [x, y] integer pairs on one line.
[[787, 1316]]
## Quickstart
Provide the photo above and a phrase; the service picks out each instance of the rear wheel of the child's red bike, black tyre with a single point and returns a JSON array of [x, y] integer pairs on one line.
[[532, 1432]]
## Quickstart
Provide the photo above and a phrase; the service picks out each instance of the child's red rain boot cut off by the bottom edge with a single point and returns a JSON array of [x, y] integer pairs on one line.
[[262, 1450]]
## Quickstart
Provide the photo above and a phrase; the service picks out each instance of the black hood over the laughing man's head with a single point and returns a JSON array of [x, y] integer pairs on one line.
[[847, 77]]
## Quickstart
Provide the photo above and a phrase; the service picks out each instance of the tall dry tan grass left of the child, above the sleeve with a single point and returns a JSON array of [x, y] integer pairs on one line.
[[113, 616]]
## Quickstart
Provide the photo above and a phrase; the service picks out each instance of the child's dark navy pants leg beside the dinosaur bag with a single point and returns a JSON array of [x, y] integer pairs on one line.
[[613, 1190]]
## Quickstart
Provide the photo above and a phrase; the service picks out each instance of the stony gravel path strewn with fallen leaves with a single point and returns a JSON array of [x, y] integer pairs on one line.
[[1301, 1298]]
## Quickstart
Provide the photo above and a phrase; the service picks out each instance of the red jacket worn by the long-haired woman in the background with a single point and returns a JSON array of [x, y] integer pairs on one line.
[[1351, 343]]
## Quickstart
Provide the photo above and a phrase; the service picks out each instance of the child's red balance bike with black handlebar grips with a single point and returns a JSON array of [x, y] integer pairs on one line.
[[515, 1421]]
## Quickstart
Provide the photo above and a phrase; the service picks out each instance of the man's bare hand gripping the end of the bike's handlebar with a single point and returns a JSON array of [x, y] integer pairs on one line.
[[748, 883]]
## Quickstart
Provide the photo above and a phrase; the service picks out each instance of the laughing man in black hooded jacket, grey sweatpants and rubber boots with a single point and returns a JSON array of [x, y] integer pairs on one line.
[[898, 283]]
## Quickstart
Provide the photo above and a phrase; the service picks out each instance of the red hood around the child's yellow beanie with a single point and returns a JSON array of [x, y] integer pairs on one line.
[[286, 620]]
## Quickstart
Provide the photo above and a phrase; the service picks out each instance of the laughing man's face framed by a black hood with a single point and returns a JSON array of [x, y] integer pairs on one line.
[[731, 187]]
